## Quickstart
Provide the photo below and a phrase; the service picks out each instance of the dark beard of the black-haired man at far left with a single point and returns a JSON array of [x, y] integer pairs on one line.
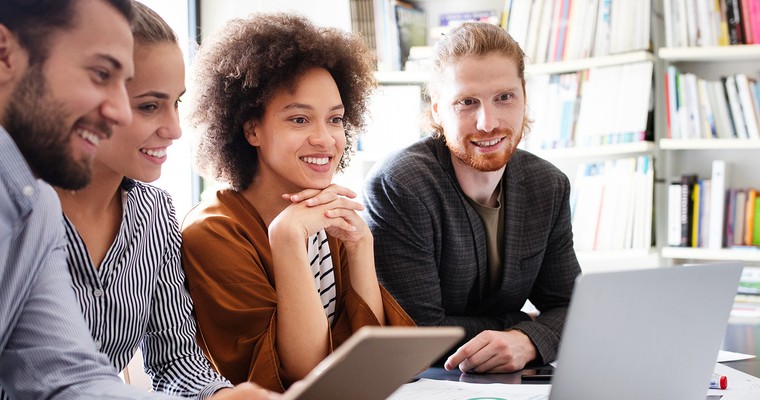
[[37, 125]]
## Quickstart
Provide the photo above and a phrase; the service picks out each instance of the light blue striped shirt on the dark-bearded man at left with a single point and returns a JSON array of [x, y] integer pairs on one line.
[[45, 347]]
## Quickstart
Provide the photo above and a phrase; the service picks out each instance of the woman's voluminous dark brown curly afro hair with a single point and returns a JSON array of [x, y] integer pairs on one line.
[[240, 69]]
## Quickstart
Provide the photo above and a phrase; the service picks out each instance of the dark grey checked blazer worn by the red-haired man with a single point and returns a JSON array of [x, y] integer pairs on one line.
[[430, 244]]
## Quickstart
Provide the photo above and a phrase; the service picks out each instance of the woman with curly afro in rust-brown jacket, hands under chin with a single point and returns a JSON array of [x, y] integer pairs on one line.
[[280, 265]]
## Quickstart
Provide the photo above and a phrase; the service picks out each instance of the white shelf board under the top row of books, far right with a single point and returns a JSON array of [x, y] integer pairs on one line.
[[710, 54]]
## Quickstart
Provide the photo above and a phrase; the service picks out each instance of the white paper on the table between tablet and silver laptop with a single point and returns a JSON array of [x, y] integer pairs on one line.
[[451, 390]]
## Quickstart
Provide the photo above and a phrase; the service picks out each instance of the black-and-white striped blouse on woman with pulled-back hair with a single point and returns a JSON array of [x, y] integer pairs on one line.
[[138, 297]]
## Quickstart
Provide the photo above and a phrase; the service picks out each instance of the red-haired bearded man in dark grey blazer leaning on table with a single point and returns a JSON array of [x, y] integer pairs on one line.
[[467, 227]]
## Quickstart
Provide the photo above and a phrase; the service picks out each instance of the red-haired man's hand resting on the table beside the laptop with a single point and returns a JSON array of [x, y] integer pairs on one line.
[[493, 352]]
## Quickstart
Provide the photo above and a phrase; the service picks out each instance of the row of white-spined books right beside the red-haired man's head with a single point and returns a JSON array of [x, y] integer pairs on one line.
[[585, 109]]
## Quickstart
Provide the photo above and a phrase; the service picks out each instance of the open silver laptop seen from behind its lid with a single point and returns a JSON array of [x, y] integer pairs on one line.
[[645, 334]]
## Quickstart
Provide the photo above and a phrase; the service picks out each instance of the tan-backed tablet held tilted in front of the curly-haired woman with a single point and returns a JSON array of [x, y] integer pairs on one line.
[[374, 362]]
